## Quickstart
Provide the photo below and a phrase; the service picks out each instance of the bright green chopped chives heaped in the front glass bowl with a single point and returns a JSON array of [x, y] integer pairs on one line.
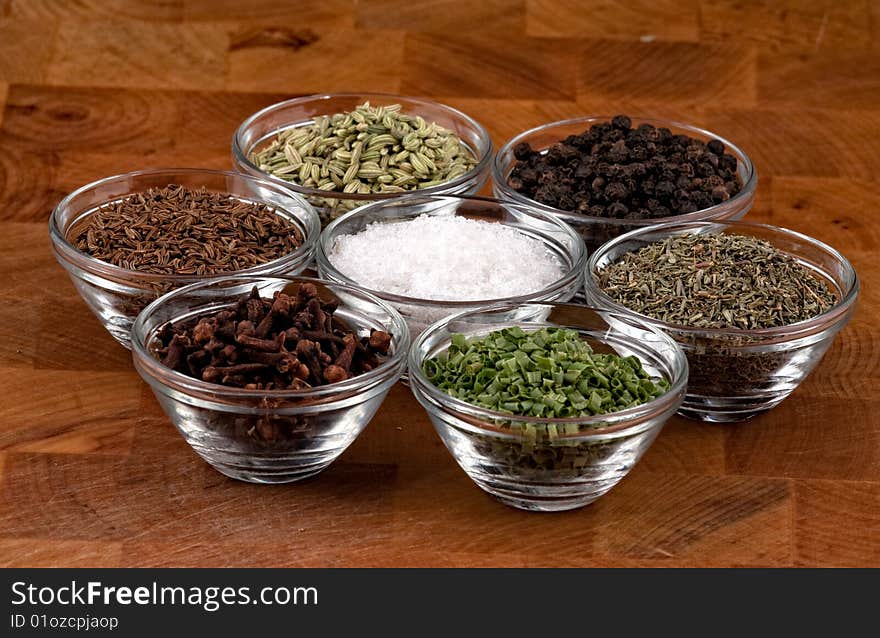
[[549, 373]]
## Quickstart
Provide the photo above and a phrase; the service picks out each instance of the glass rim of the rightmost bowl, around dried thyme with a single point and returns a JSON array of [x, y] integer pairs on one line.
[[790, 331]]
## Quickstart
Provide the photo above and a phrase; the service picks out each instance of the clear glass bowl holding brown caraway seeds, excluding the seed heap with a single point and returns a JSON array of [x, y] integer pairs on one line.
[[116, 295]]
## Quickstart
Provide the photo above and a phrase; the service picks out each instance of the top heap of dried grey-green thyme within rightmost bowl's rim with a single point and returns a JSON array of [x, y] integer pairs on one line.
[[716, 281]]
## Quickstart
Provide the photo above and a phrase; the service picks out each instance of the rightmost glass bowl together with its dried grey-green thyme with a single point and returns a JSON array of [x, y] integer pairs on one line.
[[754, 307]]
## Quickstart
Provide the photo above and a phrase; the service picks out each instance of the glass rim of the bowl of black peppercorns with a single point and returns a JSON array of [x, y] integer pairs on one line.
[[741, 199]]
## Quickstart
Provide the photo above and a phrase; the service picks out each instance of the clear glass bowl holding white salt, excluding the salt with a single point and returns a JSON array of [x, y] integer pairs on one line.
[[559, 238]]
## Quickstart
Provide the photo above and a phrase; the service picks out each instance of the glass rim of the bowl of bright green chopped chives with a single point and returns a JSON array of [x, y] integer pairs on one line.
[[612, 422]]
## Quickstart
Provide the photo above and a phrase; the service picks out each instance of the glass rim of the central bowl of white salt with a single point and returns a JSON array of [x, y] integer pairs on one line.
[[571, 274]]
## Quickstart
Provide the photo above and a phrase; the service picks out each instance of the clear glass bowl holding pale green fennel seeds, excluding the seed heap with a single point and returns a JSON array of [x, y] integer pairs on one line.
[[262, 127]]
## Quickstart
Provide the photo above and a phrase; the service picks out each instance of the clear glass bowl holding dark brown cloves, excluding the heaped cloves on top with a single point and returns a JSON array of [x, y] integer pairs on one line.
[[268, 436]]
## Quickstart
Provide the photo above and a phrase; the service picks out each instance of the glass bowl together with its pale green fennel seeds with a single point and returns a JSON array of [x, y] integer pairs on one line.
[[345, 150]]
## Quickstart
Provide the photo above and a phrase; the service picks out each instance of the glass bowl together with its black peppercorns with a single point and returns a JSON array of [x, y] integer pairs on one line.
[[608, 175]]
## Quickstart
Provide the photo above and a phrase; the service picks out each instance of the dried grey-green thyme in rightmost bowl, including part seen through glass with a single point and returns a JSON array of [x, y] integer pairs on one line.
[[721, 281]]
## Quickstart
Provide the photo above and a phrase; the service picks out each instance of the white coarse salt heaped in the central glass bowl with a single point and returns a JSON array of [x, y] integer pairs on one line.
[[446, 259]]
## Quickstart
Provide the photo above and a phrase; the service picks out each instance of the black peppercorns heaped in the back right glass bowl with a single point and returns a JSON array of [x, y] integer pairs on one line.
[[614, 170]]
